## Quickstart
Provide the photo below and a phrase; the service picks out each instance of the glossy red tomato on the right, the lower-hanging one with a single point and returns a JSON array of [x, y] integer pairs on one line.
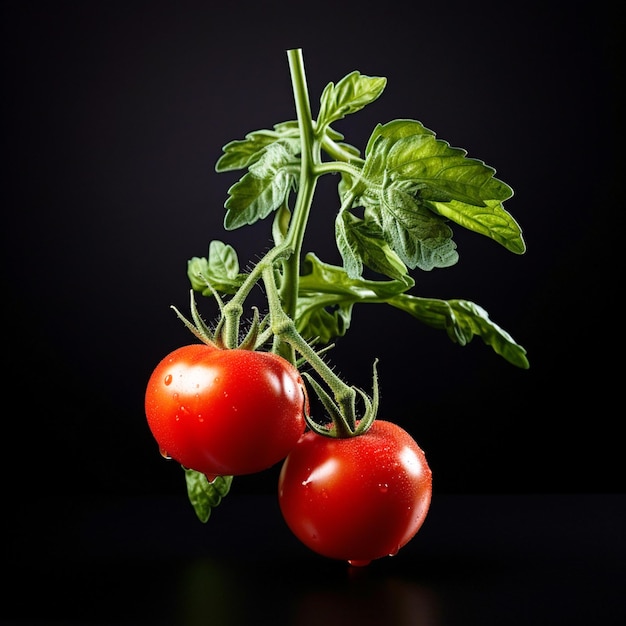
[[356, 499]]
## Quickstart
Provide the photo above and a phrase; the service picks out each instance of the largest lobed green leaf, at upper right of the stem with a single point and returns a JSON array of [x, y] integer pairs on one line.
[[406, 168]]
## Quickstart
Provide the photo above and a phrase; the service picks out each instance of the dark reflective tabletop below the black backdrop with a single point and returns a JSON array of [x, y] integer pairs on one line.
[[545, 560]]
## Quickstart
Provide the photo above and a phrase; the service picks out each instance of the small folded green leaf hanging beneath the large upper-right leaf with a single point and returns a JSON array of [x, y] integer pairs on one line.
[[361, 242]]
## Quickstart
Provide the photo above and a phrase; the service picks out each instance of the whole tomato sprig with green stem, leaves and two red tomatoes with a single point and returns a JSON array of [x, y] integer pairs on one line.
[[352, 487]]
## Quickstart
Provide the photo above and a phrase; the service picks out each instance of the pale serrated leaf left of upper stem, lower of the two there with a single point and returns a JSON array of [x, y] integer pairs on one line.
[[265, 187]]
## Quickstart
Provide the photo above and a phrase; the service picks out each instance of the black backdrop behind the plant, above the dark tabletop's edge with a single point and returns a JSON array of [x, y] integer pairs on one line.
[[114, 114]]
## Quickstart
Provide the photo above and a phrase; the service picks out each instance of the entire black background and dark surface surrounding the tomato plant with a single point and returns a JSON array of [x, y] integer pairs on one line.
[[113, 116]]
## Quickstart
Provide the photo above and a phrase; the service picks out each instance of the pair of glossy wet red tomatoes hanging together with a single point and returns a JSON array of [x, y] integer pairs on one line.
[[233, 412]]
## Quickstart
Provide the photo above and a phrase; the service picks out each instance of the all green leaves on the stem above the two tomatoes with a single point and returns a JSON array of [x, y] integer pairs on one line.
[[398, 202]]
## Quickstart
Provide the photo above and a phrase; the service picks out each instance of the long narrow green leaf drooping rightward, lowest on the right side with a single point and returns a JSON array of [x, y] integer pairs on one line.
[[462, 320]]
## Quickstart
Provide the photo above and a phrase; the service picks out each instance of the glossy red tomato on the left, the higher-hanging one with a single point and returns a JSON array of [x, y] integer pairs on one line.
[[225, 412]]
